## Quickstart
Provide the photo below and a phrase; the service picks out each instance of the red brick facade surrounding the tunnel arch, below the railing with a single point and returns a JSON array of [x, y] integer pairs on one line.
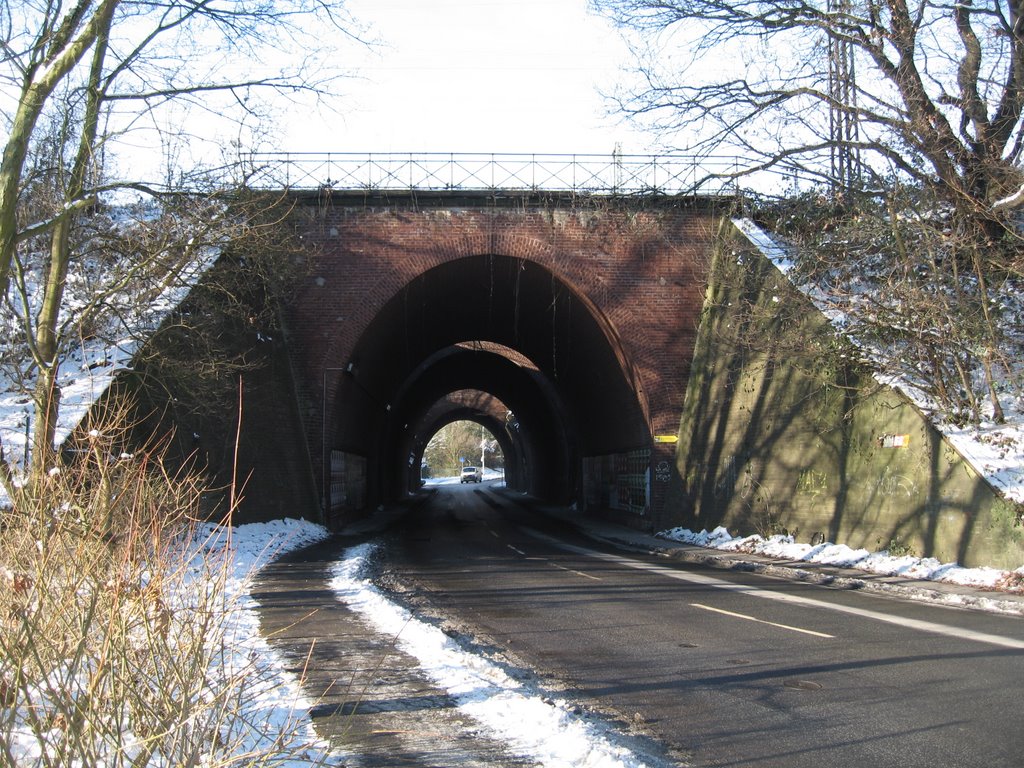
[[641, 266]]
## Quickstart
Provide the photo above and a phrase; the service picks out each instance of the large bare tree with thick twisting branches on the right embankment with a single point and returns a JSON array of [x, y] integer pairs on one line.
[[929, 108]]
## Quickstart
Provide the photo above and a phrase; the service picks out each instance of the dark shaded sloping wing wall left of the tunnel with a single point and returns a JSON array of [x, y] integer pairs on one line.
[[214, 363]]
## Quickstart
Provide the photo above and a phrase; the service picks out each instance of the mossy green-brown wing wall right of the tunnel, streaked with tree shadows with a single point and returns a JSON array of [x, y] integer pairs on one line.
[[783, 432]]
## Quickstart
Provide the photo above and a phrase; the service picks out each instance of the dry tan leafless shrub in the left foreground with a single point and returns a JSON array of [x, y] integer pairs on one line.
[[114, 624]]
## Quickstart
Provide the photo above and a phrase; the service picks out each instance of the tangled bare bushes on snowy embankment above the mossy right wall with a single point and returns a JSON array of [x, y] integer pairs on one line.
[[881, 268]]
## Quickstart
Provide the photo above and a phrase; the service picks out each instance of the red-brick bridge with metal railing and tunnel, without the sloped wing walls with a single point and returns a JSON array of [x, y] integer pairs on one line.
[[556, 301]]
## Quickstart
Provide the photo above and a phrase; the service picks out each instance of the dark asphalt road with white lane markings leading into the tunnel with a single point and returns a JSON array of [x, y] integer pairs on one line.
[[726, 669]]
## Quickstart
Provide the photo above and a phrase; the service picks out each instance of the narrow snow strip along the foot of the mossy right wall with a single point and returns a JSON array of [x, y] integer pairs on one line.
[[786, 548]]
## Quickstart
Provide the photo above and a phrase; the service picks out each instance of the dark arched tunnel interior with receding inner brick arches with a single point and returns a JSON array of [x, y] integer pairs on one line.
[[505, 327]]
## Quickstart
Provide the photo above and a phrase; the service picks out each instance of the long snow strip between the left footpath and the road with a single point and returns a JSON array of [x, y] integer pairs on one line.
[[541, 730]]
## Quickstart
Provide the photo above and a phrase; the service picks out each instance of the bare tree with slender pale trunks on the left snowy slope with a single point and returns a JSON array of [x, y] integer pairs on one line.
[[87, 81]]
